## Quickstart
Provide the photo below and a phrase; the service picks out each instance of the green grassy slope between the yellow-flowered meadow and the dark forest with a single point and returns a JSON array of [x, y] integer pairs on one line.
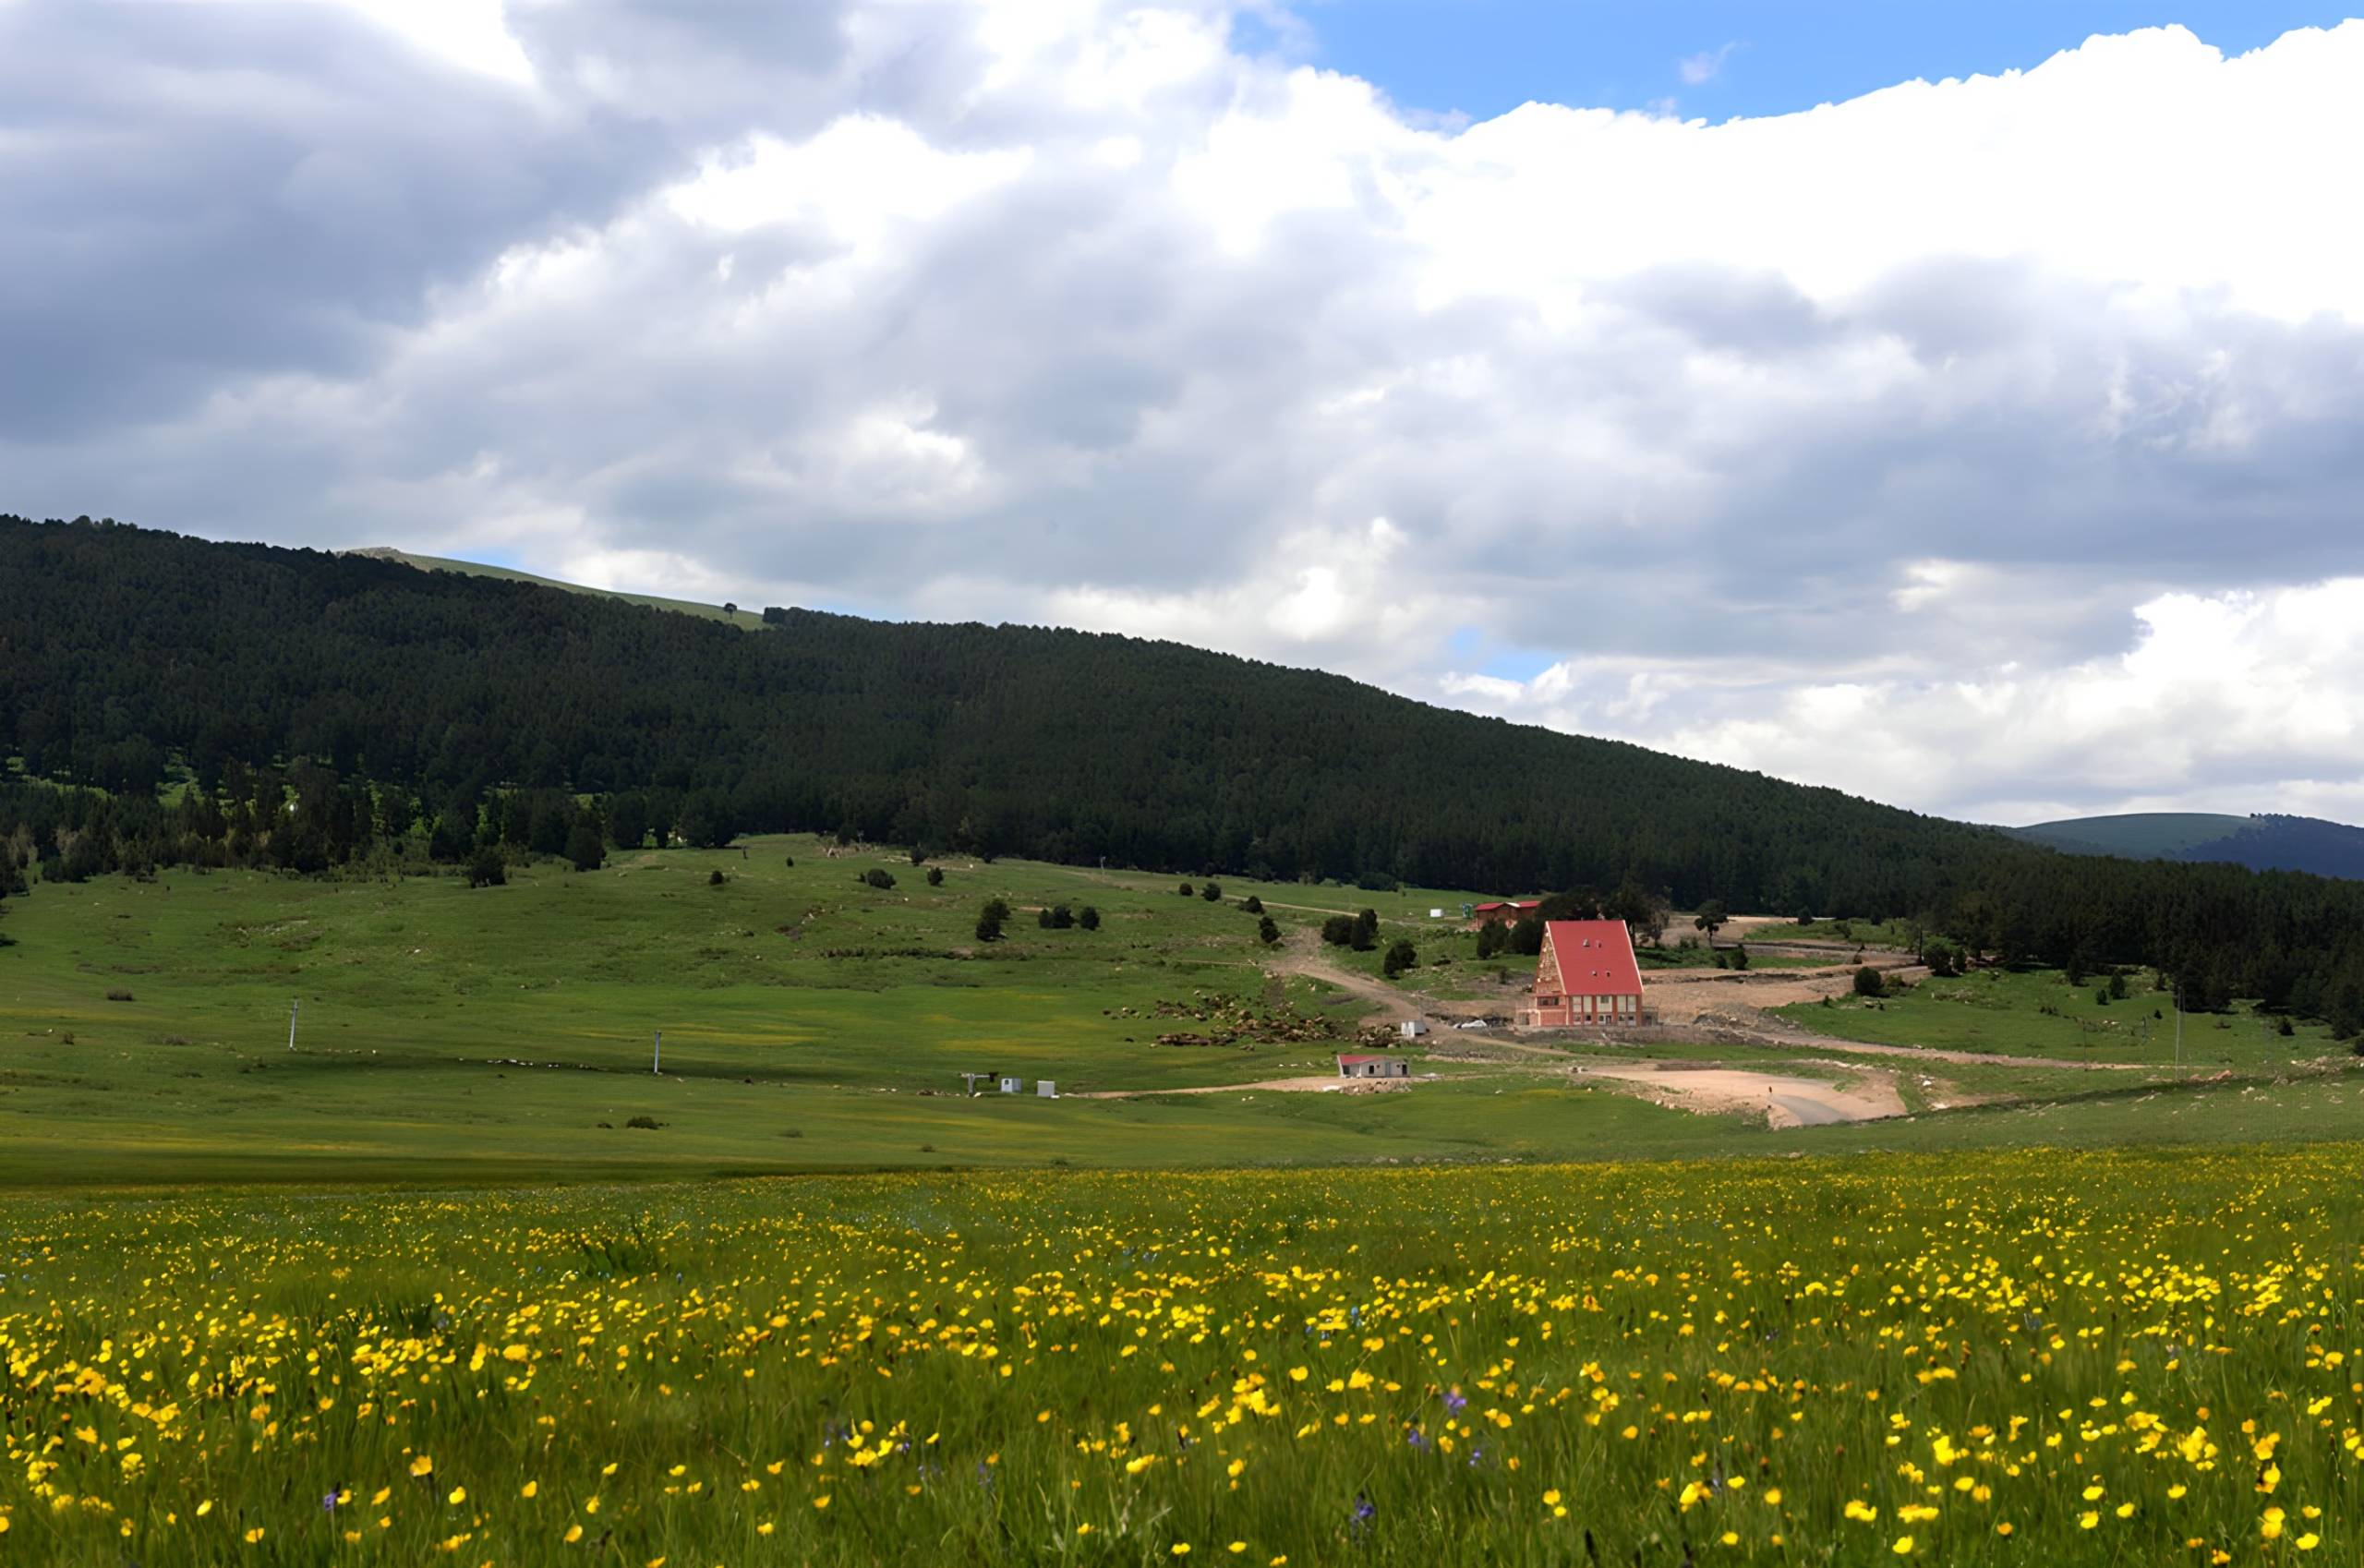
[[502, 1035]]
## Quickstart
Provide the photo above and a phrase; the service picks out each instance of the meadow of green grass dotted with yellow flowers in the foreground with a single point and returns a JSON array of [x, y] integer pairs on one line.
[[2027, 1359]]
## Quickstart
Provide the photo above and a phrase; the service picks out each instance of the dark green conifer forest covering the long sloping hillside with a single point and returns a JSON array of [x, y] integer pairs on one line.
[[332, 704]]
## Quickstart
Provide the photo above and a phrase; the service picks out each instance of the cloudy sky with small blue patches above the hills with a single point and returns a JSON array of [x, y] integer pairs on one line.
[[1954, 406]]
